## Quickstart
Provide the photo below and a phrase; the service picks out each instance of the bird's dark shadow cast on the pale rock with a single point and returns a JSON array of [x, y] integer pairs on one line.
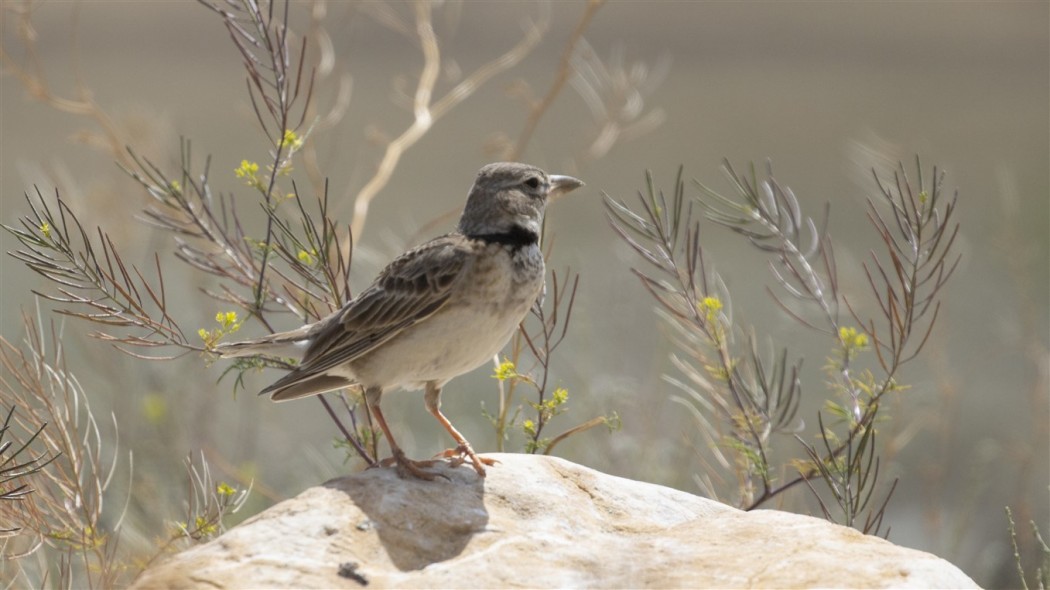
[[418, 522]]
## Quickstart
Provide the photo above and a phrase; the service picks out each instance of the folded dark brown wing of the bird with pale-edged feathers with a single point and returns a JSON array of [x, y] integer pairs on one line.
[[408, 291]]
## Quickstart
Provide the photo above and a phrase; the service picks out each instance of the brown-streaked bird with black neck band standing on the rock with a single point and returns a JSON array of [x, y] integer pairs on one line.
[[438, 311]]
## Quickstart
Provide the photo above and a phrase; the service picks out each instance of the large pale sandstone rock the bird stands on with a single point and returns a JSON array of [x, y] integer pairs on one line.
[[537, 522]]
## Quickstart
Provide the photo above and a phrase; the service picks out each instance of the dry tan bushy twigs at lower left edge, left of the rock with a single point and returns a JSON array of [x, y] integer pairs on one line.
[[67, 514]]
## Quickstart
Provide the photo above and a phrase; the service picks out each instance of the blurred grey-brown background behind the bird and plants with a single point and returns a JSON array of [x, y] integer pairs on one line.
[[827, 92]]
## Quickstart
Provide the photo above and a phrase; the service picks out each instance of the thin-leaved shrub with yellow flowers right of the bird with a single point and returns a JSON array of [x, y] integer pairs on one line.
[[743, 401]]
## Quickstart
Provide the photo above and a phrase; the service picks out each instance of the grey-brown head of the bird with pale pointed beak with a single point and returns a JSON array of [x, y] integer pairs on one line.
[[509, 197]]
